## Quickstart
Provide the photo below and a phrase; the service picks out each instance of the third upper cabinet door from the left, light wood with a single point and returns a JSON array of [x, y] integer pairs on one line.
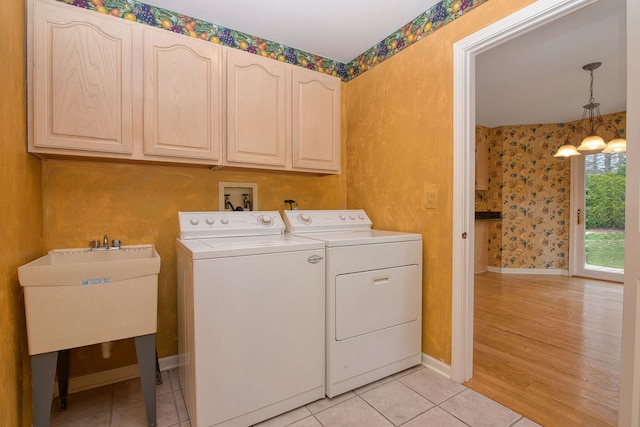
[[258, 99]]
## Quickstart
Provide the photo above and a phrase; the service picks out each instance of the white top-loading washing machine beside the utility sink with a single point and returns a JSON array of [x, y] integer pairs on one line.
[[251, 317]]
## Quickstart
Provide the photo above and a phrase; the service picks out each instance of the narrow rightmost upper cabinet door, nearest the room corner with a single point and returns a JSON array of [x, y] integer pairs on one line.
[[316, 121]]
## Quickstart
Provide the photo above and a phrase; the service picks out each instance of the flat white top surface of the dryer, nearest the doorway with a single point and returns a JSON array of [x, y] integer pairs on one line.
[[361, 237]]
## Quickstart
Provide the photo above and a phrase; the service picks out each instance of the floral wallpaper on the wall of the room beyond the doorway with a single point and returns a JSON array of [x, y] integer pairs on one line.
[[532, 190]]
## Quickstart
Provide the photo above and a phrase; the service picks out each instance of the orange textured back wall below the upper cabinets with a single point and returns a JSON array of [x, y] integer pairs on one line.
[[139, 204]]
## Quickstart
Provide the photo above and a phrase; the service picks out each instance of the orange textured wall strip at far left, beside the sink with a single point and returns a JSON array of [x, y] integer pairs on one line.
[[20, 211]]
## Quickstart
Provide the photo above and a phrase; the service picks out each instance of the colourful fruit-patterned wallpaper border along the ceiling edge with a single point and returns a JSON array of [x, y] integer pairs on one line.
[[436, 17]]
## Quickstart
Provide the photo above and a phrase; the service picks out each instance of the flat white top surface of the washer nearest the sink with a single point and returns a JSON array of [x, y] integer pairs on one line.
[[221, 247]]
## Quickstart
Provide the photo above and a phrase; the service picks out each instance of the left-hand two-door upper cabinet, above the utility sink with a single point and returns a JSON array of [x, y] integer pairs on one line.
[[105, 87]]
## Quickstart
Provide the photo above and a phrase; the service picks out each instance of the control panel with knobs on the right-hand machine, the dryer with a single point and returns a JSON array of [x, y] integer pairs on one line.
[[306, 221]]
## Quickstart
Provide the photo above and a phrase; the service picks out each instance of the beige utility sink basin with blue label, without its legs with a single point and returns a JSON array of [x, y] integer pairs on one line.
[[78, 297]]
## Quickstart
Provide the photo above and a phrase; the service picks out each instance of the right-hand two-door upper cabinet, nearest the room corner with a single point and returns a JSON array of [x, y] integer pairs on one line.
[[281, 116]]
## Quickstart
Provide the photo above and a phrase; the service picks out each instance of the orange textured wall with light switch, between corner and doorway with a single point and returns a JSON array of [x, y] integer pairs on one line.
[[400, 138]]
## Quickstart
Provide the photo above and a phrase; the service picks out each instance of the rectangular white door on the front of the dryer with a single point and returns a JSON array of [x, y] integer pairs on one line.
[[370, 301]]
